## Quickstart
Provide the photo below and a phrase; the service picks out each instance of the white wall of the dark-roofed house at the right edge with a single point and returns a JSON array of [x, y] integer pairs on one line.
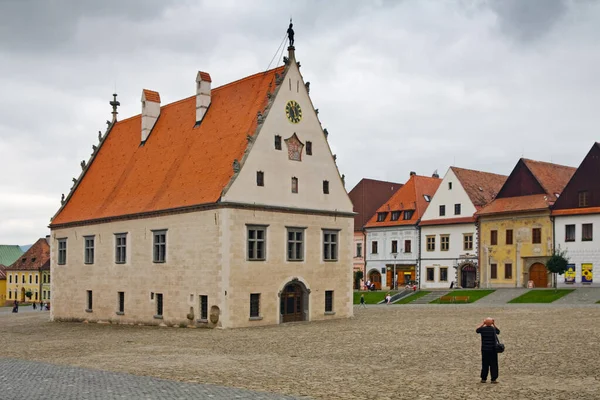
[[579, 252]]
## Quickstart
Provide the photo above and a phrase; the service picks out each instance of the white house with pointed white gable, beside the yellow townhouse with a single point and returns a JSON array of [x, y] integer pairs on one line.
[[448, 230]]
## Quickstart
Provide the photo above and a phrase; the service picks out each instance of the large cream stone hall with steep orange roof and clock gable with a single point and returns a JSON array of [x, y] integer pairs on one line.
[[223, 209]]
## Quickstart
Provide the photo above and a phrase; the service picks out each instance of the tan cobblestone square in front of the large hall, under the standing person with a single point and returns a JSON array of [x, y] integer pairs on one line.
[[384, 352]]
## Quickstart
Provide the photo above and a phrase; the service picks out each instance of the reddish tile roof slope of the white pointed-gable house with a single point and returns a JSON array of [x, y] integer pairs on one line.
[[481, 187]]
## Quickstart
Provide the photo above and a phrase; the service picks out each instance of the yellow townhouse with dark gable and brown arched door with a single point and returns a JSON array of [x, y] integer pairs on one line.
[[515, 229]]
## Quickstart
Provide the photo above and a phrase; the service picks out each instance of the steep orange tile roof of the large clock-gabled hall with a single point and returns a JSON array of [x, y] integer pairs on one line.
[[179, 165]]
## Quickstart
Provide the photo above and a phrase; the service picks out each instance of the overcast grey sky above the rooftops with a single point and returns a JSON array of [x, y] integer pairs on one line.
[[401, 85]]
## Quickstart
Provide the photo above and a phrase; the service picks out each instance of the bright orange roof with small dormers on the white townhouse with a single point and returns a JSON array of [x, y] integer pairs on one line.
[[408, 197]]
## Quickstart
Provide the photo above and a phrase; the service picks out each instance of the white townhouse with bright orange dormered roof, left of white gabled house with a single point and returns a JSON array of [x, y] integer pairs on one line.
[[392, 244]]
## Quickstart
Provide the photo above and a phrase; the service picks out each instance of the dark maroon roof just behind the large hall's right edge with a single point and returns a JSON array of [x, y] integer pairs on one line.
[[367, 196]]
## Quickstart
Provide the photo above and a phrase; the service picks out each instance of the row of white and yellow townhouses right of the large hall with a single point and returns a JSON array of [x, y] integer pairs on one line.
[[478, 229]]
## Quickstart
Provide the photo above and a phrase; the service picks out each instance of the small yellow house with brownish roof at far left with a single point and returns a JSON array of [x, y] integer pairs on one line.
[[23, 276]]
